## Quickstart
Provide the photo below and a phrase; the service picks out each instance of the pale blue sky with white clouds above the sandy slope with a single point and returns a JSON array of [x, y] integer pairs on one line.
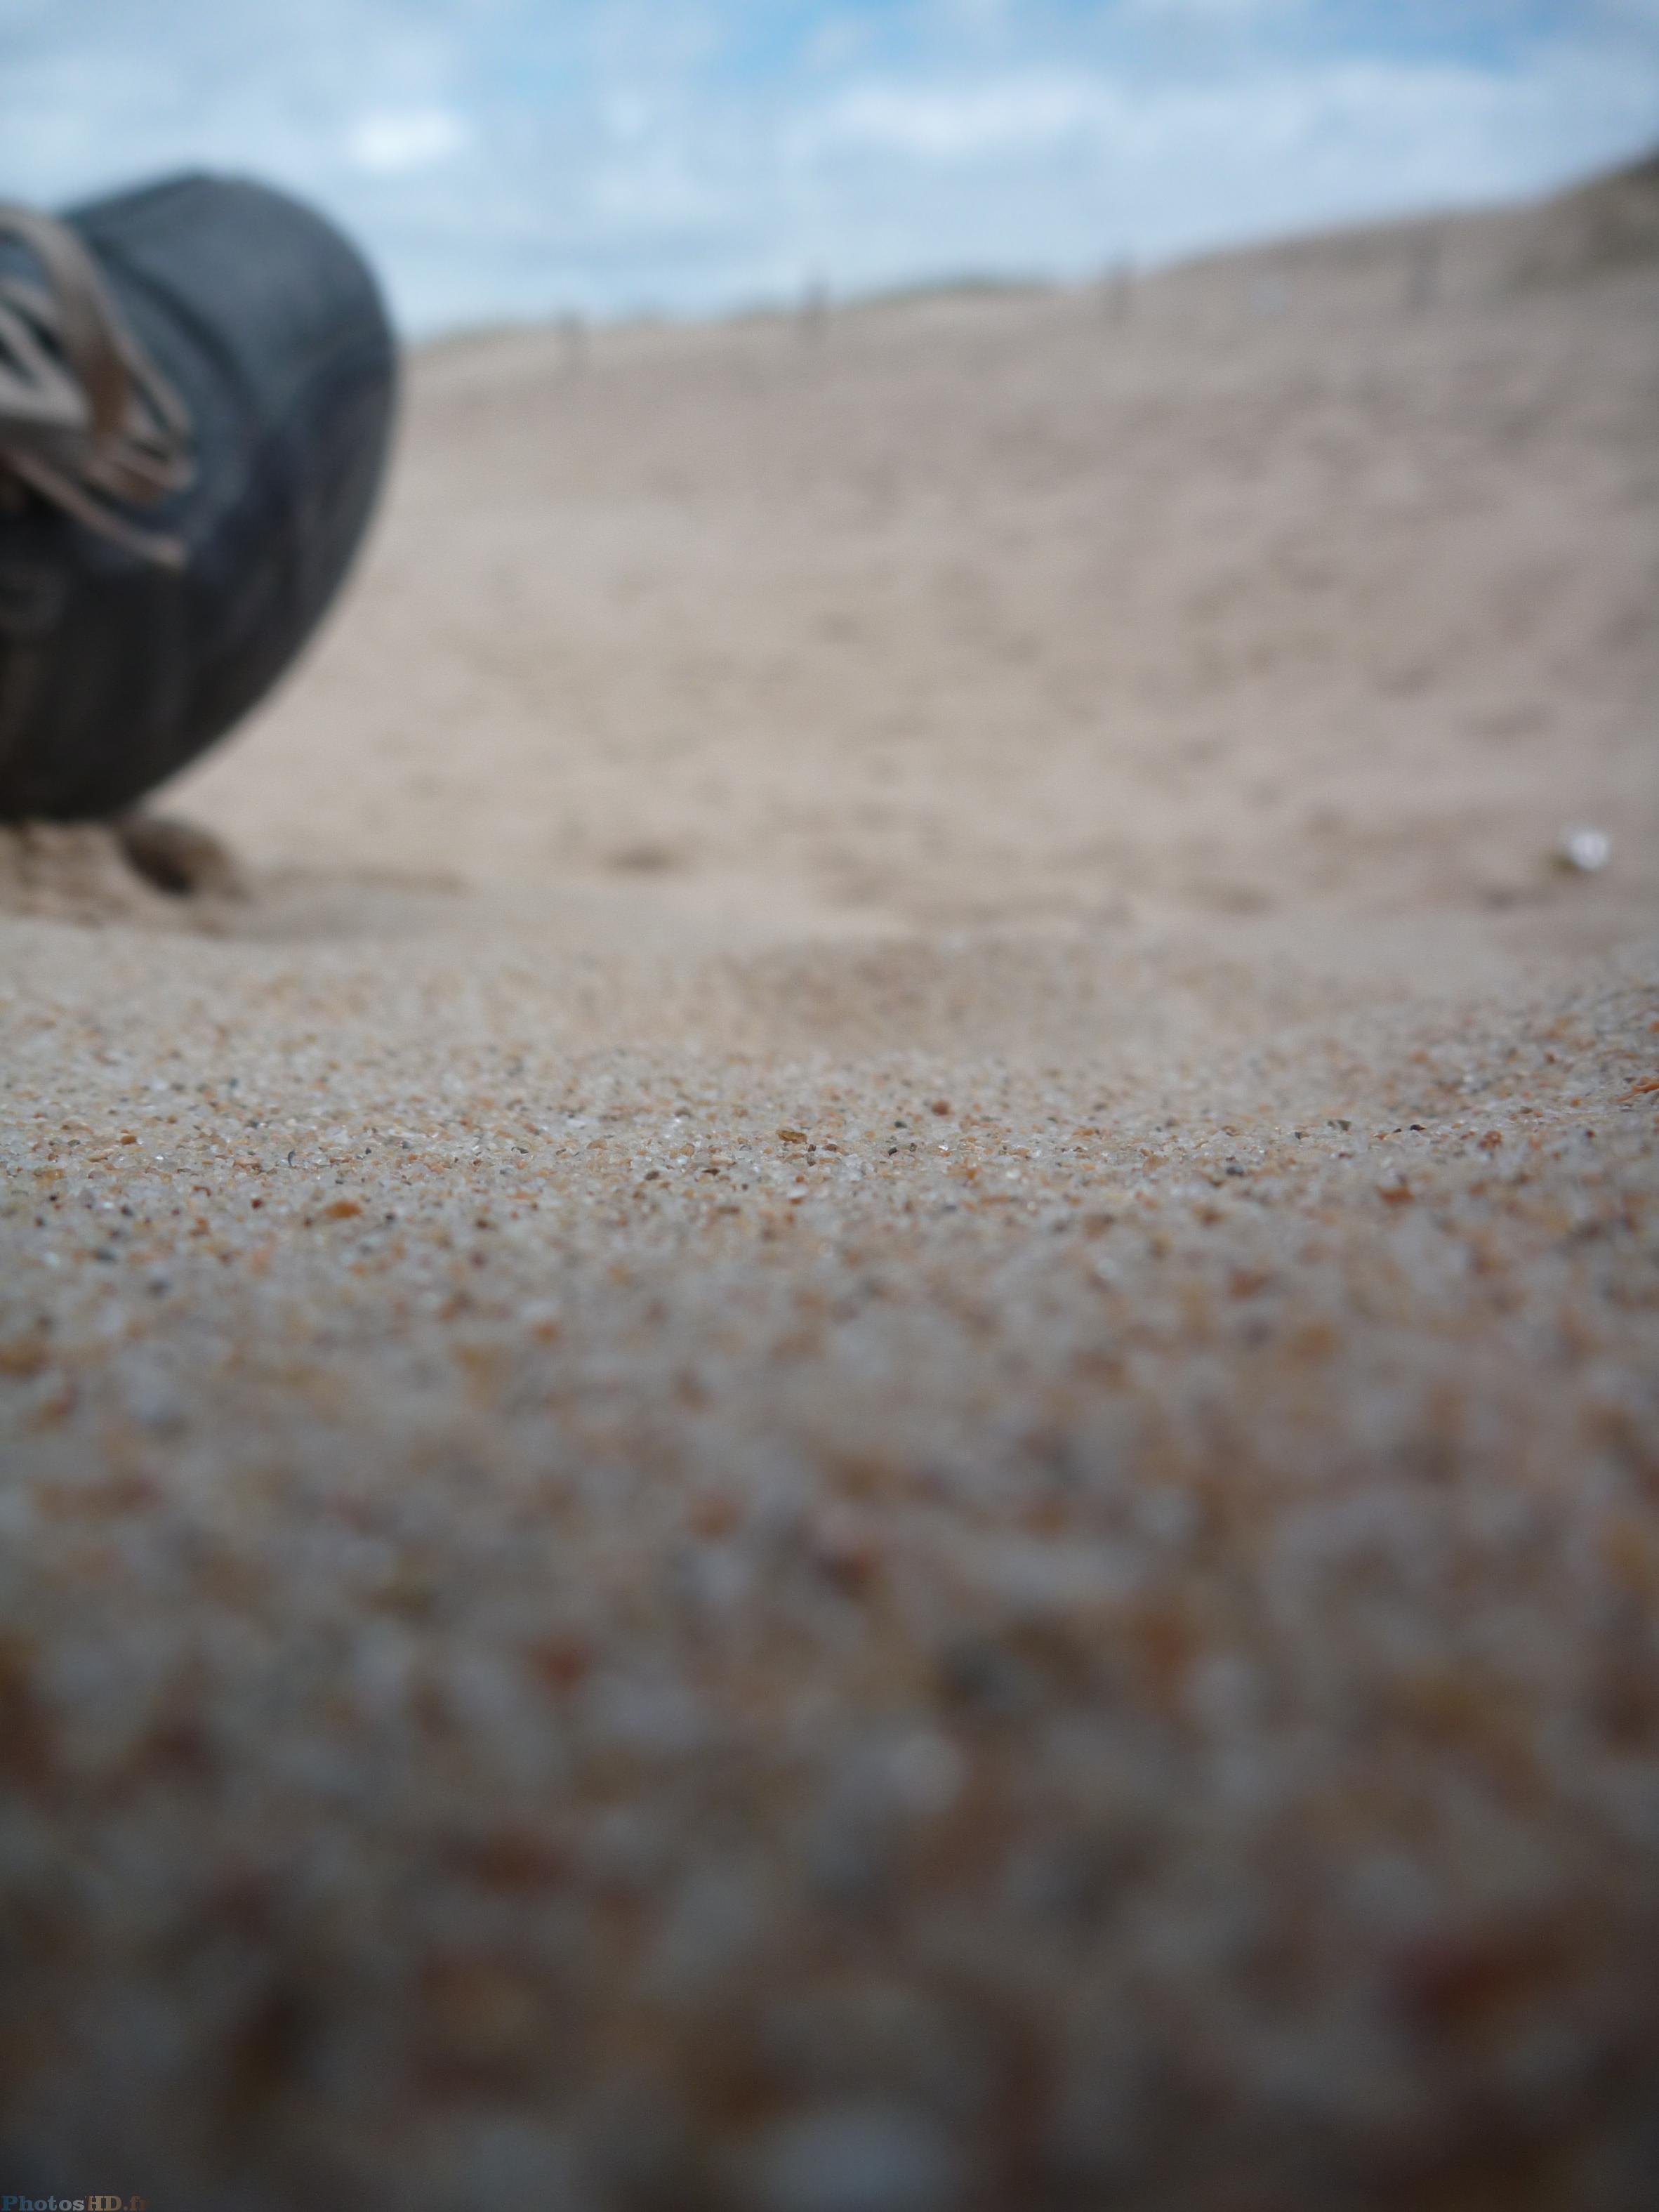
[[528, 158]]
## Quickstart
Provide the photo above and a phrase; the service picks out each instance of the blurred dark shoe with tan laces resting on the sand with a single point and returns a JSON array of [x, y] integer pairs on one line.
[[194, 424]]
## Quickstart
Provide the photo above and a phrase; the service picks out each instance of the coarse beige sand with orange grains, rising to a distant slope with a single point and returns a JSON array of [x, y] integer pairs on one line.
[[848, 1404]]
